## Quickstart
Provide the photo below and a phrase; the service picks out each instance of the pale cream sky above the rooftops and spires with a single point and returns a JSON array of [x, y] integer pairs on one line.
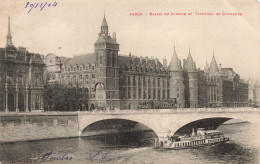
[[74, 25]]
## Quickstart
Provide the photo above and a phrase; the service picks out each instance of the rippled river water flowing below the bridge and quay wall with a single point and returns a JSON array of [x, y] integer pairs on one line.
[[134, 148]]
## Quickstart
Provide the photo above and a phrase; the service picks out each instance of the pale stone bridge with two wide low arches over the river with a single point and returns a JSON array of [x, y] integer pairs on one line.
[[173, 121]]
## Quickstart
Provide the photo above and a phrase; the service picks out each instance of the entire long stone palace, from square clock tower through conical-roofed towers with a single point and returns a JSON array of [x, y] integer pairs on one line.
[[107, 80]]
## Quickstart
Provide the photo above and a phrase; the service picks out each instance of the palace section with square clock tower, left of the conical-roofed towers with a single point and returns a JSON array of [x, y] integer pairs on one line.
[[104, 79]]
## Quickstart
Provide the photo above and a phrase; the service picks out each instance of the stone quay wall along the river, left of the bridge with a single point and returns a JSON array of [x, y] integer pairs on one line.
[[36, 126]]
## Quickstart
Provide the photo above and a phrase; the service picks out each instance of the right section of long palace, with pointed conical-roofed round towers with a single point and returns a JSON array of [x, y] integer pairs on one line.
[[213, 87]]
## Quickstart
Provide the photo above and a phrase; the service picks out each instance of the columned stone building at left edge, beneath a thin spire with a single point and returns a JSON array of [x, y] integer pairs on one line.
[[21, 78]]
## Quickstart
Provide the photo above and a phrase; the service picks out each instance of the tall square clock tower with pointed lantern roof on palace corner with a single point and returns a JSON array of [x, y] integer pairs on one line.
[[106, 52]]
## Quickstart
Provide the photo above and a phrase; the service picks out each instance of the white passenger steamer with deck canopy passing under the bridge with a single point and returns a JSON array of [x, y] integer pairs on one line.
[[200, 138]]
